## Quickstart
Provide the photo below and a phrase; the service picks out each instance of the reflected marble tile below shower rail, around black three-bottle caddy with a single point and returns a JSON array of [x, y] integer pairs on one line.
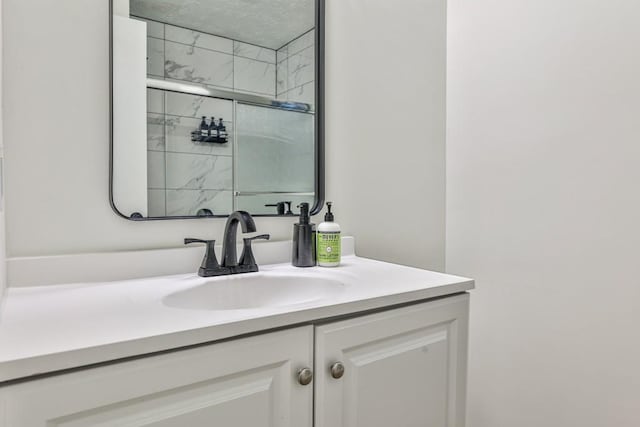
[[199, 175]]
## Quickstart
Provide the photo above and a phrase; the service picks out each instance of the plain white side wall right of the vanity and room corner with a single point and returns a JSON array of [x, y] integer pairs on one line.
[[543, 207]]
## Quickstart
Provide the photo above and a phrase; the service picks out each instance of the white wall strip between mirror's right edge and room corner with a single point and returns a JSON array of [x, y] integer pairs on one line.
[[386, 67]]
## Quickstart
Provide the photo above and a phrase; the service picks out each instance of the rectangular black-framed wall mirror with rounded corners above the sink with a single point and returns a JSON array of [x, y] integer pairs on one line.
[[216, 107]]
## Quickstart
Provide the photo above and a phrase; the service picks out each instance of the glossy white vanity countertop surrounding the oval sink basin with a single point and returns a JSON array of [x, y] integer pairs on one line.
[[49, 328]]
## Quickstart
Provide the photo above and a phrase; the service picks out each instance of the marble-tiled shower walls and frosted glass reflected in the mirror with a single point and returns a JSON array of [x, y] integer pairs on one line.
[[184, 177]]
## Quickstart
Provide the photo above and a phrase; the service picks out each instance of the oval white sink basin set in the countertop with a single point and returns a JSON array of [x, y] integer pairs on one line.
[[254, 290]]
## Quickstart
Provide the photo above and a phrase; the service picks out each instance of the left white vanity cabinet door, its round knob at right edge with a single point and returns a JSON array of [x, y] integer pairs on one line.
[[250, 382]]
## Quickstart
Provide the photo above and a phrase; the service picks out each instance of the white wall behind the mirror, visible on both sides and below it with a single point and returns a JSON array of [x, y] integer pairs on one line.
[[385, 132]]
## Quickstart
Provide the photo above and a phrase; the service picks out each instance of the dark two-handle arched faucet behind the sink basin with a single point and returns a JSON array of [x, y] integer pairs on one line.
[[230, 263]]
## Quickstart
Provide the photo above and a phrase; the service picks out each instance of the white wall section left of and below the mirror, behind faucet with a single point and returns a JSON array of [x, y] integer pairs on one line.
[[57, 138]]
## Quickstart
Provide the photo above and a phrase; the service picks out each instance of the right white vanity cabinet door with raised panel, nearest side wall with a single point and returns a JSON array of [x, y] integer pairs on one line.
[[404, 367]]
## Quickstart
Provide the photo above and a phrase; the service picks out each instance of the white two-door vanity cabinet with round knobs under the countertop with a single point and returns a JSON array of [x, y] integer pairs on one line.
[[403, 367]]
